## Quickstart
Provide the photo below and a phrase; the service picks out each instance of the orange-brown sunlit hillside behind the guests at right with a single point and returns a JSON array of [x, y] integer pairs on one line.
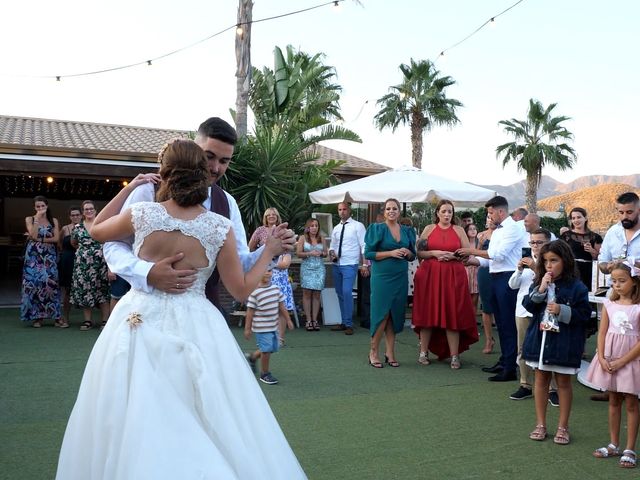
[[598, 201]]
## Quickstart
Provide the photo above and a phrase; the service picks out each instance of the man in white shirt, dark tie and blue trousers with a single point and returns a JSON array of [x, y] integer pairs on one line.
[[346, 253]]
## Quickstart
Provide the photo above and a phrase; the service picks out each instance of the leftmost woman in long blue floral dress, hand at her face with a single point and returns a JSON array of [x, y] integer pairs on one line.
[[40, 288]]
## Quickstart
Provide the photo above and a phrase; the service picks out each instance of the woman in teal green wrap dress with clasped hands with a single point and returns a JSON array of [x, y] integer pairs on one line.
[[390, 247]]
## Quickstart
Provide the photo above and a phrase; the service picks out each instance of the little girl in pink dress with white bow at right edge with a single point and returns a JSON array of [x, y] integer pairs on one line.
[[617, 366]]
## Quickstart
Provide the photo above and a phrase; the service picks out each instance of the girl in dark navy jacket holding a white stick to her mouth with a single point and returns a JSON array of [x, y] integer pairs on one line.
[[560, 350]]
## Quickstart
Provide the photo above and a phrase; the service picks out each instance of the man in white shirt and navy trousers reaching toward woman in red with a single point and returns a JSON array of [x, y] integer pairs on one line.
[[502, 257]]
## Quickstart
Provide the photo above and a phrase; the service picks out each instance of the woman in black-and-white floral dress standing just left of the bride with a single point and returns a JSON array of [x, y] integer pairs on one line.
[[89, 284]]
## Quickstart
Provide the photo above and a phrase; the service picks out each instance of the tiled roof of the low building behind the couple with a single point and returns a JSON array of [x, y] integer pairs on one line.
[[44, 146]]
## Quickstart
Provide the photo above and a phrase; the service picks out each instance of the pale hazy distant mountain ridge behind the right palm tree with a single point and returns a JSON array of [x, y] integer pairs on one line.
[[550, 187]]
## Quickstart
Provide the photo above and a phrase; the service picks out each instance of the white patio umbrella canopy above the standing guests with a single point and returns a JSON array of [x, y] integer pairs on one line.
[[406, 184]]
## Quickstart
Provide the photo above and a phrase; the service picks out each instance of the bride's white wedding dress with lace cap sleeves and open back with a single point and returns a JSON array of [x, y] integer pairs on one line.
[[167, 393]]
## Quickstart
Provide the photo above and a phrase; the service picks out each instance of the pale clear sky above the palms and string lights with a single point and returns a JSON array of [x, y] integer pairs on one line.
[[580, 54]]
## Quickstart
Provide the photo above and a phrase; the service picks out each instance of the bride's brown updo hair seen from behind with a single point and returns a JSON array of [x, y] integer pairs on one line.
[[184, 172]]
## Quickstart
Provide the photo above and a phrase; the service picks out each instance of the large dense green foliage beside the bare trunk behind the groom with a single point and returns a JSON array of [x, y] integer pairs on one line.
[[294, 105]]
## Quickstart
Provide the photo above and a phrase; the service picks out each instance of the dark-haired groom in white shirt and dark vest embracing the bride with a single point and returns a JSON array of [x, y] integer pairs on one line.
[[217, 138]]
